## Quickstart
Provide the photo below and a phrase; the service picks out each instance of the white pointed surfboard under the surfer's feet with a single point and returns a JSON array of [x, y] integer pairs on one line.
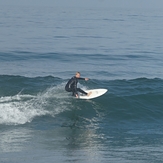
[[95, 93]]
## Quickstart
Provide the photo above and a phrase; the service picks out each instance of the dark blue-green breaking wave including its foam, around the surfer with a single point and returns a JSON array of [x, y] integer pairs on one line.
[[24, 100]]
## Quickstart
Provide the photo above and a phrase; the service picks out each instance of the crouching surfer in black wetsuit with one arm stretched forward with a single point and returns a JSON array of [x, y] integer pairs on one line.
[[71, 85]]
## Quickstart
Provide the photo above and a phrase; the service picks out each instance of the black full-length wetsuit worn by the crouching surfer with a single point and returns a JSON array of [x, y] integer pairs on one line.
[[71, 86]]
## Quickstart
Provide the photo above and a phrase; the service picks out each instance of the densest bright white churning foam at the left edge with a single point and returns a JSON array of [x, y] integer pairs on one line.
[[18, 112]]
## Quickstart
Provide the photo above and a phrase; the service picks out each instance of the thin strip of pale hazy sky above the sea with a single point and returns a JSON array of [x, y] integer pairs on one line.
[[89, 3]]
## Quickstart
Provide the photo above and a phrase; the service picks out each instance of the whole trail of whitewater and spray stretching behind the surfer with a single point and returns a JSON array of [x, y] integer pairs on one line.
[[22, 108]]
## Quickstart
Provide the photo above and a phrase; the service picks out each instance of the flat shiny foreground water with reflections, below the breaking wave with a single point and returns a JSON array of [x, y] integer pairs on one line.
[[75, 144]]
